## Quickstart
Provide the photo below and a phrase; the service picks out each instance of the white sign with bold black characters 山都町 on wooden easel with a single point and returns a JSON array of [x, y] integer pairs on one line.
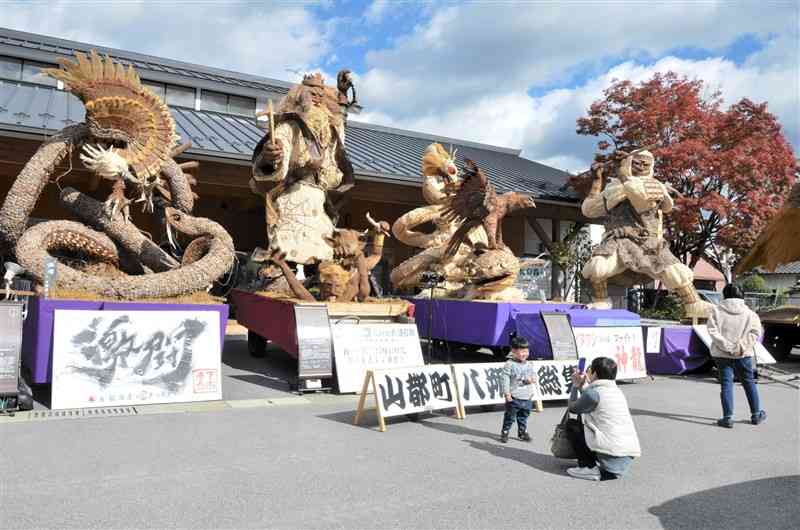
[[414, 389]]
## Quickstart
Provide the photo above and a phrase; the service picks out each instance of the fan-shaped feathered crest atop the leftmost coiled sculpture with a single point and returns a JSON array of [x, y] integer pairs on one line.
[[121, 110]]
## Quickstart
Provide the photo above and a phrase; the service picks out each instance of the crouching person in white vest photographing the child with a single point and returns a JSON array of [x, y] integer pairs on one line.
[[604, 438]]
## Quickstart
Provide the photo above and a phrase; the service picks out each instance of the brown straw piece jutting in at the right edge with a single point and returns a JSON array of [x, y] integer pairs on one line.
[[780, 242]]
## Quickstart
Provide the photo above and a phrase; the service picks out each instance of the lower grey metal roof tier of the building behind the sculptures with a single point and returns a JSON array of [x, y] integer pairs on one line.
[[382, 152]]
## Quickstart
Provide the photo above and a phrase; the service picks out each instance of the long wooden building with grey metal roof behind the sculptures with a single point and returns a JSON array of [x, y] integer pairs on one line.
[[215, 109]]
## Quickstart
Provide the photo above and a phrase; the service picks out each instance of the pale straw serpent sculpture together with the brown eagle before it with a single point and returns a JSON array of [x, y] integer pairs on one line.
[[474, 263]]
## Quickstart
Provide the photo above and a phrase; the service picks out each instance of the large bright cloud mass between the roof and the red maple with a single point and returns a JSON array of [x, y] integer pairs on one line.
[[467, 71]]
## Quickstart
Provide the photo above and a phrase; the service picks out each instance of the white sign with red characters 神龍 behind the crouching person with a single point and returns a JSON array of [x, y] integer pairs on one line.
[[623, 344]]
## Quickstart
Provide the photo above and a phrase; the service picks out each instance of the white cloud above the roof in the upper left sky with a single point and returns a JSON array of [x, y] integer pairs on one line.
[[264, 39]]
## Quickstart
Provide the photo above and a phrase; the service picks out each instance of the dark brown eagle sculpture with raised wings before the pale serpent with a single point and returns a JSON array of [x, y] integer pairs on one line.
[[473, 202]]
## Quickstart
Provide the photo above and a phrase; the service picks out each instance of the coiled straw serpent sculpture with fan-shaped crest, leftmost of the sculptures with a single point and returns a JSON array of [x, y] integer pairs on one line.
[[129, 138]]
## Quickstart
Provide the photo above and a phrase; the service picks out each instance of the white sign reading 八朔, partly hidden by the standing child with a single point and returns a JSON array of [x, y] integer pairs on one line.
[[481, 383]]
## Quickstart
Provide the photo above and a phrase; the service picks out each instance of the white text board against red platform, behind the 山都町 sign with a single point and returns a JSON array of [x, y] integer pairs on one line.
[[361, 347]]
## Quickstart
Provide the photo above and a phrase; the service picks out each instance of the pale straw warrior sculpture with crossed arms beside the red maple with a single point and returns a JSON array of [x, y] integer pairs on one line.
[[633, 248]]
